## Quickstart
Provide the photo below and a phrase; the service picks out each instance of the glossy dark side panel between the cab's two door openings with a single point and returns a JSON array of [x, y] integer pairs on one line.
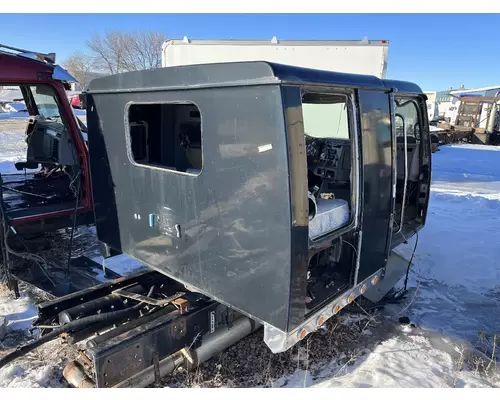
[[377, 180]]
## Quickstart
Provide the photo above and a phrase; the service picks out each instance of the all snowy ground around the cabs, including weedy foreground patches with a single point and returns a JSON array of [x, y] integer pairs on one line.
[[454, 303]]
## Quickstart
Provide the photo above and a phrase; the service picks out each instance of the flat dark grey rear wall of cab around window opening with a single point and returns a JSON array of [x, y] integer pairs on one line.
[[235, 216]]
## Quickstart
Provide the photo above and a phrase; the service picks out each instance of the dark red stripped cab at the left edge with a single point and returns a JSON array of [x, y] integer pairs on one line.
[[53, 184]]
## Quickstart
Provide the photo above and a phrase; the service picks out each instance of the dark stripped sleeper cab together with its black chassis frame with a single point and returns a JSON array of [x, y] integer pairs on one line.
[[258, 194]]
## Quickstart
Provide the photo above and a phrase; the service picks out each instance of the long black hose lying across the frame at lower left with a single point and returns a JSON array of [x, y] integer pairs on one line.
[[73, 325]]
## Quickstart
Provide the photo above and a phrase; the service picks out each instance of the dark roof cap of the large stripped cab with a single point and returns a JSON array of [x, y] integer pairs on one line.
[[242, 73]]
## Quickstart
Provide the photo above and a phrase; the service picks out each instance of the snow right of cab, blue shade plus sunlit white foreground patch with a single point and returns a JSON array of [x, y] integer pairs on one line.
[[454, 287]]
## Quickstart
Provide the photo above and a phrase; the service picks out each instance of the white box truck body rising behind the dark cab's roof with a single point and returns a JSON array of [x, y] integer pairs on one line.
[[368, 57]]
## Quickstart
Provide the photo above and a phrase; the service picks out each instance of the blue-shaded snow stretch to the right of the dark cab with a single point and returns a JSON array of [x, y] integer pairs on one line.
[[458, 255]]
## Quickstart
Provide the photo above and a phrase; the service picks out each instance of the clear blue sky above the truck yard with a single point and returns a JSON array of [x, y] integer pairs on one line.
[[435, 51]]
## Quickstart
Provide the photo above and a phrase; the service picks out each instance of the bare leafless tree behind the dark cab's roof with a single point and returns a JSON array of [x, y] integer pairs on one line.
[[122, 51]]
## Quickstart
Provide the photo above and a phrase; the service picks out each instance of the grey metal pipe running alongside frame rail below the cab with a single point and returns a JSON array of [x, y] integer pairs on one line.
[[213, 345]]
